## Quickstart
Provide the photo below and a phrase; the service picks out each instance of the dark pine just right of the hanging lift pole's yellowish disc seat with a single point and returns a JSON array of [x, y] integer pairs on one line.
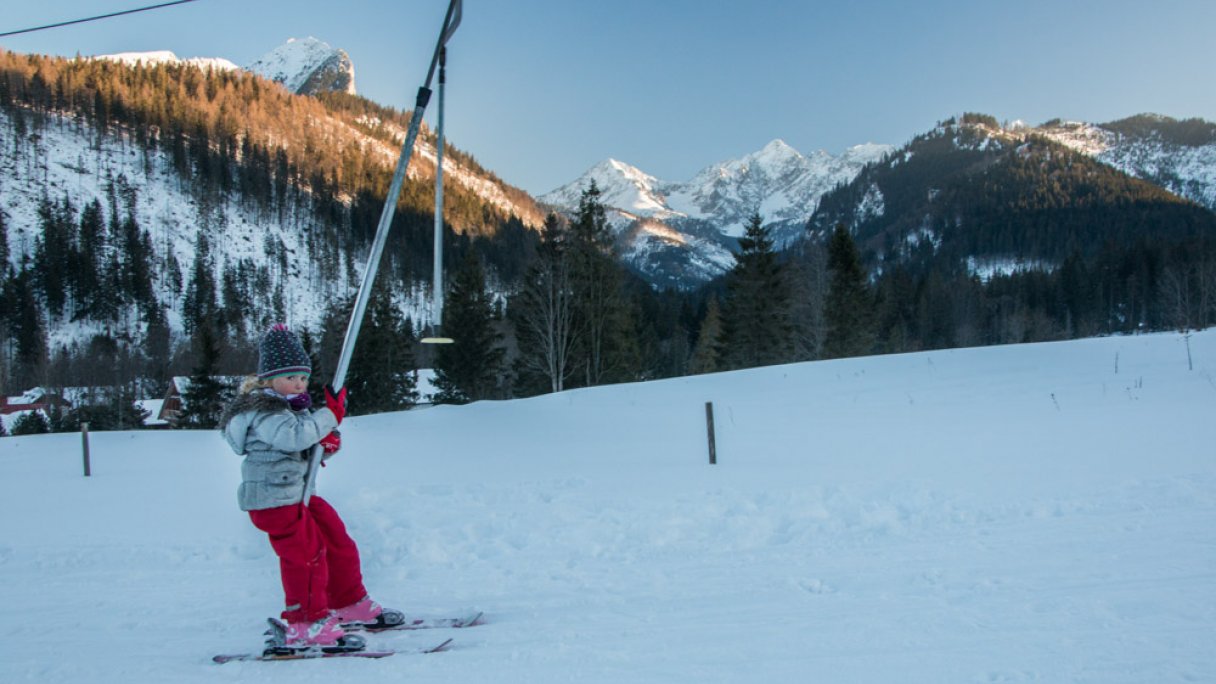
[[471, 368]]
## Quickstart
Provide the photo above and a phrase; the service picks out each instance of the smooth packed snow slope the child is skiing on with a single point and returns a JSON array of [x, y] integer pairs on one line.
[[1037, 513]]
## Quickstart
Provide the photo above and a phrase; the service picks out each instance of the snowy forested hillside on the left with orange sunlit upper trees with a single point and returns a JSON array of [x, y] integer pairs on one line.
[[139, 203]]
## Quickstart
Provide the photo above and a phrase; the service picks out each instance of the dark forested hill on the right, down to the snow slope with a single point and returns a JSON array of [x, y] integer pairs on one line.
[[979, 234]]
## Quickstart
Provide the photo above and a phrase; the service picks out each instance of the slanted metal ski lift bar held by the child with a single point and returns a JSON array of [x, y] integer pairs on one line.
[[452, 20]]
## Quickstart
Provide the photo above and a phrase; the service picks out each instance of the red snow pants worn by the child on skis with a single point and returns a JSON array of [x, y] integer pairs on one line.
[[318, 559]]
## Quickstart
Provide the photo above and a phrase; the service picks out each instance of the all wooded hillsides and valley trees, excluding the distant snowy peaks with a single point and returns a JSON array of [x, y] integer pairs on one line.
[[155, 220]]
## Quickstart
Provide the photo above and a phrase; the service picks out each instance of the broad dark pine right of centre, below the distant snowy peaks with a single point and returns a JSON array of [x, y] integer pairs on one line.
[[757, 323]]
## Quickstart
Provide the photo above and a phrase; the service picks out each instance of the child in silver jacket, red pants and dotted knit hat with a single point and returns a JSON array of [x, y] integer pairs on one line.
[[271, 425]]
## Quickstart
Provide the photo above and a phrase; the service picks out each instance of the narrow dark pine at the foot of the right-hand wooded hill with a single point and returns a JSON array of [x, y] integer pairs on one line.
[[849, 307]]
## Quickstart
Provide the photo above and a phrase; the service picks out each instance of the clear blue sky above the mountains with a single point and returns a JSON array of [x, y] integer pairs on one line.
[[541, 91]]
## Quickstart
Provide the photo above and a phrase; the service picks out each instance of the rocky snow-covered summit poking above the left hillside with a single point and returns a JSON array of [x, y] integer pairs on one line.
[[307, 68]]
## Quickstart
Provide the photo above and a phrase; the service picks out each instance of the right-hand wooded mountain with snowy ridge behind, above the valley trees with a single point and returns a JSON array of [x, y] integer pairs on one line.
[[1012, 198]]
